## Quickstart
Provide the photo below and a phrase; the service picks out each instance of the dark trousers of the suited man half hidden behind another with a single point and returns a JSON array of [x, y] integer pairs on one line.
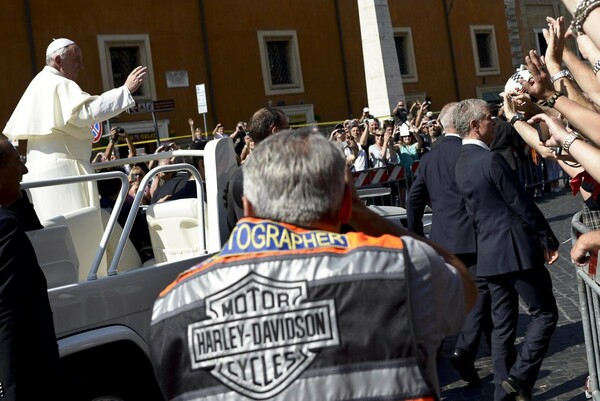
[[479, 319]]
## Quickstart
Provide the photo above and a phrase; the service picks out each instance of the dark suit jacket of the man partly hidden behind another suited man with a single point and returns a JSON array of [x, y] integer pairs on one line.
[[452, 227]]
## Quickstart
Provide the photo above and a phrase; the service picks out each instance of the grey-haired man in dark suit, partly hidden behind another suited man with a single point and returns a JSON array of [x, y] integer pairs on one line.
[[453, 228]]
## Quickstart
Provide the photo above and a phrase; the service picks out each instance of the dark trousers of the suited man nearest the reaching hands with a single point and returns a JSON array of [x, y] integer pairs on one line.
[[534, 286]]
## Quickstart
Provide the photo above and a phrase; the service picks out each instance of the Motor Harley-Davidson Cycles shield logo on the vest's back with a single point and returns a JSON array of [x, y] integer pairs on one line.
[[261, 335]]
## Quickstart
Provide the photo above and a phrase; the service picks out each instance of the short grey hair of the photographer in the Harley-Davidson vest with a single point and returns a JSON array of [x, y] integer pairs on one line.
[[297, 177]]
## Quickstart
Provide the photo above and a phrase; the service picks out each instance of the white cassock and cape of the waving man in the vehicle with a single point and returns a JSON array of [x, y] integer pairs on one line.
[[55, 116]]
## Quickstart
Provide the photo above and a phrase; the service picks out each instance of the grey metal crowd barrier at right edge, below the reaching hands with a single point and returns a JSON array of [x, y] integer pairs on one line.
[[589, 300]]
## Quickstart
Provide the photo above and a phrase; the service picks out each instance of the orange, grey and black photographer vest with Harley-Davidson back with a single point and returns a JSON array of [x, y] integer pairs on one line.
[[284, 313]]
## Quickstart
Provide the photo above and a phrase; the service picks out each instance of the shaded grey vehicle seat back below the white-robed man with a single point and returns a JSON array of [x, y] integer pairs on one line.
[[56, 255]]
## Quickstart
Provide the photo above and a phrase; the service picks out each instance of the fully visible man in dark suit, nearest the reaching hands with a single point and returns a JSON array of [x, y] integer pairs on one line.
[[513, 242]]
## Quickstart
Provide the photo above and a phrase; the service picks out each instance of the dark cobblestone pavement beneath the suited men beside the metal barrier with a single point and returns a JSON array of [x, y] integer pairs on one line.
[[565, 369]]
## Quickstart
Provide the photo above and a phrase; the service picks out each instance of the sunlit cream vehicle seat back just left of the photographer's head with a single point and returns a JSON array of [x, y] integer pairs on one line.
[[174, 230]]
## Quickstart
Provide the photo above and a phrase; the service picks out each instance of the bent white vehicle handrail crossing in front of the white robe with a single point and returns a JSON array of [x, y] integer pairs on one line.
[[93, 272]]
